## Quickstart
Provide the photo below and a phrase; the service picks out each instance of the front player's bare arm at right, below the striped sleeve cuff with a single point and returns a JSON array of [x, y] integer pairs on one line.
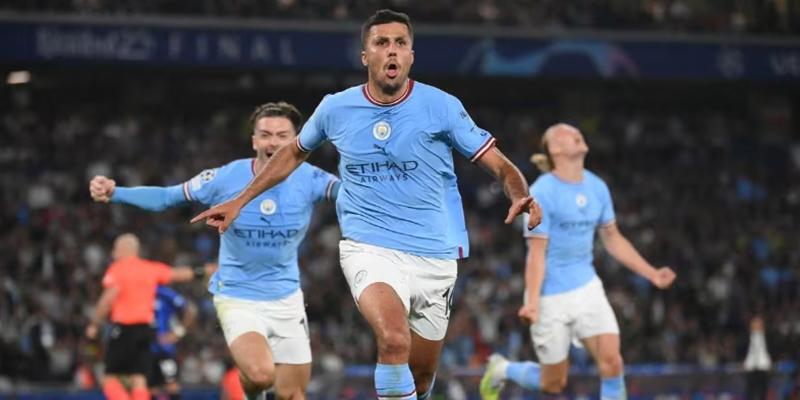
[[514, 185]]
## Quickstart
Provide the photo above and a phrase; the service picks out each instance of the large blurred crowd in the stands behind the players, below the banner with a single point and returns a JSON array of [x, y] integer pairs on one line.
[[710, 192]]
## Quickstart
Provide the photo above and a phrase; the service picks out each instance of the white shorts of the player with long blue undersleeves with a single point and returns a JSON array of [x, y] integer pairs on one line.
[[282, 322]]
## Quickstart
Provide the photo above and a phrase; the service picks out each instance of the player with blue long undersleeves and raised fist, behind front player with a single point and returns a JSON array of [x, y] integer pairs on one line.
[[257, 287]]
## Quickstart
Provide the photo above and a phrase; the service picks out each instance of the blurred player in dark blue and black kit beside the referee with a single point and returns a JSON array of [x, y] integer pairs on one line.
[[174, 314]]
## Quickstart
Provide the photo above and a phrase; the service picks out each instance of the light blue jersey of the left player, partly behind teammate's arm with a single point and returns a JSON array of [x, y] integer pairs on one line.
[[258, 253]]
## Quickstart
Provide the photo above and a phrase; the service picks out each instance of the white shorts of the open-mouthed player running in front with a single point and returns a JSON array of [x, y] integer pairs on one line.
[[424, 284]]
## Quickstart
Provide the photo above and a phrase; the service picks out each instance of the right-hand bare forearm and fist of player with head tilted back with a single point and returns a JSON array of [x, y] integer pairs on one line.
[[621, 249]]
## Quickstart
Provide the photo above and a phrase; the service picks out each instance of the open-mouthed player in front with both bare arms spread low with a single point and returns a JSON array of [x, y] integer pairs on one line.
[[395, 138]]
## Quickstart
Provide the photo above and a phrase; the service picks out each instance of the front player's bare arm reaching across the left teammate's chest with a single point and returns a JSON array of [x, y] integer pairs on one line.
[[279, 166]]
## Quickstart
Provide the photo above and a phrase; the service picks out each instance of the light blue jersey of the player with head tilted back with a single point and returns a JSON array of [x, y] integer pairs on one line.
[[571, 213]]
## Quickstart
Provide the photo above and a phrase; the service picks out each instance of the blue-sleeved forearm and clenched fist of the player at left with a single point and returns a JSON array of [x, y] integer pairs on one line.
[[153, 198]]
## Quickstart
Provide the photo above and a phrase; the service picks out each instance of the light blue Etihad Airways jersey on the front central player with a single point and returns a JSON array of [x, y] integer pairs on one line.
[[396, 166]]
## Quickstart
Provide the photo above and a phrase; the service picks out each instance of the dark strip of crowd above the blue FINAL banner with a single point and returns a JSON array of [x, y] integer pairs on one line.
[[749, 16]]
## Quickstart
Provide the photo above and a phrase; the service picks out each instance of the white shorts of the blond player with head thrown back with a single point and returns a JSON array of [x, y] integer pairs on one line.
[[580, 313]]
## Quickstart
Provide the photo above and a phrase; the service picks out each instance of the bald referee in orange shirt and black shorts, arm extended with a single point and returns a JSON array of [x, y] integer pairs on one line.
[[129, 294]]
